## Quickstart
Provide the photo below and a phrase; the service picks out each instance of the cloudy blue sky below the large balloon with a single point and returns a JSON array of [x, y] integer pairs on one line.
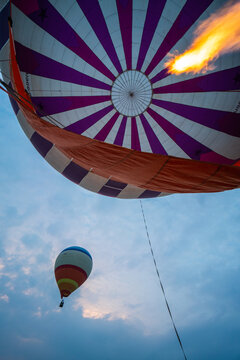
[[119, 312]]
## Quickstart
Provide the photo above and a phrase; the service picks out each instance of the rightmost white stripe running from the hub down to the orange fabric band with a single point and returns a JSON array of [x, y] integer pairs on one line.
[[166, 141]]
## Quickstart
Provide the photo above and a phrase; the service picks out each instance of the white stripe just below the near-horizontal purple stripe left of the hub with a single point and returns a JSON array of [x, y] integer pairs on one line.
[[71, 116]]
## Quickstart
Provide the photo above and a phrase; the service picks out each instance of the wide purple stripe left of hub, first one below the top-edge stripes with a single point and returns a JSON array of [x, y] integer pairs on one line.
[[34, 63]]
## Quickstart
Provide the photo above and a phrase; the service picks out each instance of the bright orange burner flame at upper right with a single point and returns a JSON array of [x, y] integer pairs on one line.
[[217, 35]]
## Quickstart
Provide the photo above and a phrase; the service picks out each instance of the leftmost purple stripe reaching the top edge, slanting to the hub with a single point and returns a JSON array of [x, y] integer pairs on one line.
[[54, 24]]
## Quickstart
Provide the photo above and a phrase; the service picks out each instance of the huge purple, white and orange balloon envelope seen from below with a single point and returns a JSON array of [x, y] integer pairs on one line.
[[89, 86]]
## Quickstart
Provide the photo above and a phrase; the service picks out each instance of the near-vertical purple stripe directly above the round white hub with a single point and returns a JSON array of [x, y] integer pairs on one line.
[[125, 20]]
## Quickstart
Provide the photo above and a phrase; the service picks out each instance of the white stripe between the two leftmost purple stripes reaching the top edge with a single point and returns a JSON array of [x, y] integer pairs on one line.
[[73, 14]]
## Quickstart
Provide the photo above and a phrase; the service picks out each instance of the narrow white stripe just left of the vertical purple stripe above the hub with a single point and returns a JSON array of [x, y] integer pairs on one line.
[[110, 13]]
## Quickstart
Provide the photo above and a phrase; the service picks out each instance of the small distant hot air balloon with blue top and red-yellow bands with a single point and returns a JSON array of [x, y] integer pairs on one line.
[[72, 268]]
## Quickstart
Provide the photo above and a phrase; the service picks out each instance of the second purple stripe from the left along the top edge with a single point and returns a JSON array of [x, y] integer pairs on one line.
[[94, 15]]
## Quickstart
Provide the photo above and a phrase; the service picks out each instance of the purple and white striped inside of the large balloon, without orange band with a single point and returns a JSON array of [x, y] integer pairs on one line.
[[96, 68]]
